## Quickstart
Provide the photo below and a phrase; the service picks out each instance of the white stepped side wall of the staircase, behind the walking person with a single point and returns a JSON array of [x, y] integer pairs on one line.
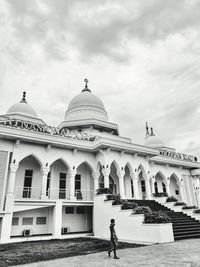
[[128, 227]]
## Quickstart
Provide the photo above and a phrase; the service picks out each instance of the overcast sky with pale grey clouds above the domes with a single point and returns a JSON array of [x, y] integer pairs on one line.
[[142, 58]]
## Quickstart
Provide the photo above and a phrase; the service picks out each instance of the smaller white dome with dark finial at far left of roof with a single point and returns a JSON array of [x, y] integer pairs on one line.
[[22, 108]]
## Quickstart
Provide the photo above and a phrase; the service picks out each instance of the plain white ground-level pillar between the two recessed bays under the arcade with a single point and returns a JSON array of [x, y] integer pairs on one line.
[[57, 219]]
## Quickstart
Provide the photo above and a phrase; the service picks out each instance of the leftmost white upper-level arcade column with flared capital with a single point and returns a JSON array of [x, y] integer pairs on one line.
[[11, 188]]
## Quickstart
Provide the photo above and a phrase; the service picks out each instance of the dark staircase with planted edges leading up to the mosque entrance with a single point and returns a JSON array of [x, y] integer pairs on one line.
[[184, 226]]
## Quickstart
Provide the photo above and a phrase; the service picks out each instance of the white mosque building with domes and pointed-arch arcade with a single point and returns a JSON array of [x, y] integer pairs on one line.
[[49, 175]]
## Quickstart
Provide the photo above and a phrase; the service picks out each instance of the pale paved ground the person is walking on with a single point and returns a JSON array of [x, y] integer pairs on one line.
[[181, 253]]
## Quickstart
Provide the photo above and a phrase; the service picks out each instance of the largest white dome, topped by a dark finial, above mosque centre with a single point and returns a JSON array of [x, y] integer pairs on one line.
[[86, 106]]
